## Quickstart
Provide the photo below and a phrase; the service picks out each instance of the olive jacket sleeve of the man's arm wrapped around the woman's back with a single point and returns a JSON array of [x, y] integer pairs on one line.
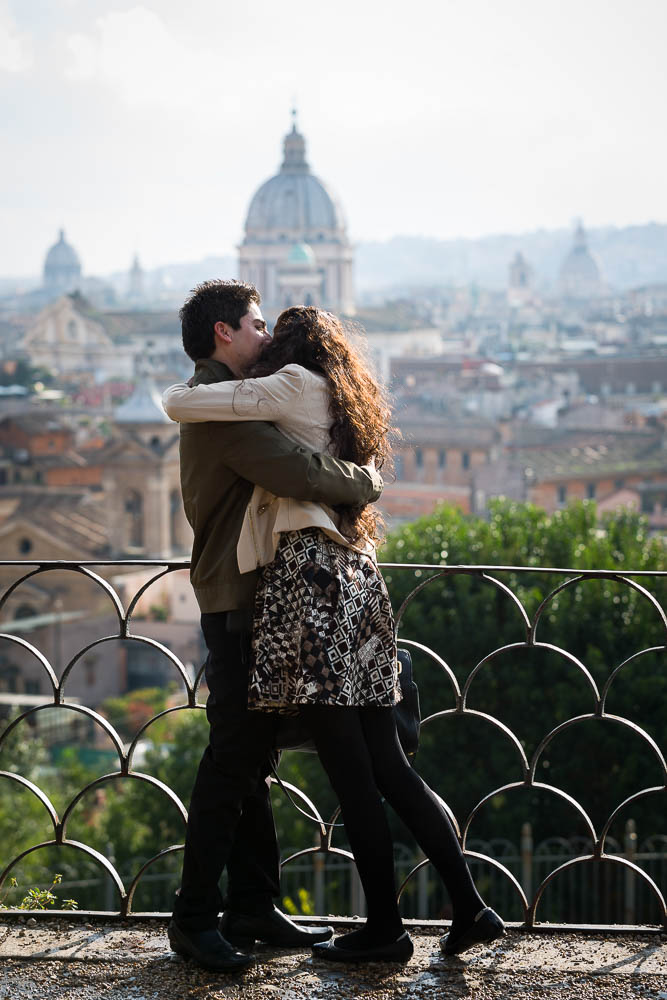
[[259, 453]]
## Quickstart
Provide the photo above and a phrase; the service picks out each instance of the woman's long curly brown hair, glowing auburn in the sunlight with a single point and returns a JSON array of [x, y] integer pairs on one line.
[[360, 415]]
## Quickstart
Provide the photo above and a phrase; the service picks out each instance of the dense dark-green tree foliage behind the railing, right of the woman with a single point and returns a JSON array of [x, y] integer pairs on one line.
[[602, 623]]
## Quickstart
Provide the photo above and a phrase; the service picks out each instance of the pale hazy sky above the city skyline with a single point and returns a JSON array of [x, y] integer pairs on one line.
[[148, 126]]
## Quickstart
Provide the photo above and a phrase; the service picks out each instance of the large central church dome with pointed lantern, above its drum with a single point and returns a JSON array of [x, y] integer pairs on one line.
[[294, 201]]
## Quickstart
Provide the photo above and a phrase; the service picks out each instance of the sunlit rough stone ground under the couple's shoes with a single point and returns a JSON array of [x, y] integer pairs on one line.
[[56, 960]]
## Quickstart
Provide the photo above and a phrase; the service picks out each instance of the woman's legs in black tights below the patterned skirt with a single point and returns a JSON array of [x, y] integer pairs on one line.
[[363, 758]]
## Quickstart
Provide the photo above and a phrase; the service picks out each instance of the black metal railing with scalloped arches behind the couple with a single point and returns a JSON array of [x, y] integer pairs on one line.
[[597, 846]]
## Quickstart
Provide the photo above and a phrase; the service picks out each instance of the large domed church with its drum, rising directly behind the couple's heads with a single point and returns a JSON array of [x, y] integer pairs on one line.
[[296, 248]]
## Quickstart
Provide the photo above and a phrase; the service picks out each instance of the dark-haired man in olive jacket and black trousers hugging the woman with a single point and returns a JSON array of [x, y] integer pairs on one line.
[[230, 821]]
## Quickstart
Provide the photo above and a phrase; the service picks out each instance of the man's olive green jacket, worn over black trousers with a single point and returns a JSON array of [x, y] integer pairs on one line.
[[220, 463]]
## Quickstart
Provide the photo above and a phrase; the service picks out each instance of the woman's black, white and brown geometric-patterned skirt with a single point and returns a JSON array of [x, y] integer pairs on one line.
[[323, 628]]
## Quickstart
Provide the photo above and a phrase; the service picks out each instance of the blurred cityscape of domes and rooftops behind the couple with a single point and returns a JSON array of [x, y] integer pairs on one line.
[[533, 368]]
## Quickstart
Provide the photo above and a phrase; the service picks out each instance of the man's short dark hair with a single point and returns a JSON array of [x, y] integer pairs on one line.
[[207, 303]]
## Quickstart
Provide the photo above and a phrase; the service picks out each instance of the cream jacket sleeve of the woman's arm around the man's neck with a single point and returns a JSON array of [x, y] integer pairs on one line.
[[268, 398]]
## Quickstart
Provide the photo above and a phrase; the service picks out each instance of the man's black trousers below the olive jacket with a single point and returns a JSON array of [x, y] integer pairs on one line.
[[230, 822]]
